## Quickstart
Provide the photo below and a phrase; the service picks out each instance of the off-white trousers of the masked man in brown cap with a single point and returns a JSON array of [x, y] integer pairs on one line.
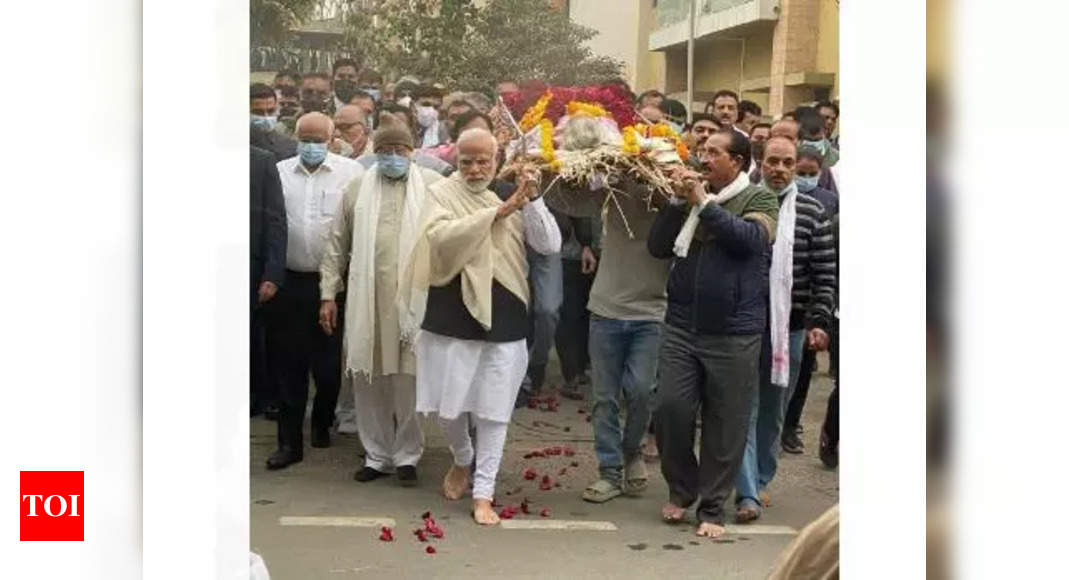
[[386, 421]]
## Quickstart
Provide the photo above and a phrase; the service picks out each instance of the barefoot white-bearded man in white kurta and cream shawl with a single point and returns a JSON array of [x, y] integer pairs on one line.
[[470, 273]]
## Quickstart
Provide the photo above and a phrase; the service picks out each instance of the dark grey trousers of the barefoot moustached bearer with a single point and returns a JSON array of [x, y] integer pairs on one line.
[[719, 375]]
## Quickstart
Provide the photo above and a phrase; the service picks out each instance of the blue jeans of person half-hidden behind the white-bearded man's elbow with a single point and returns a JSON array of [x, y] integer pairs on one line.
[[547, 284]]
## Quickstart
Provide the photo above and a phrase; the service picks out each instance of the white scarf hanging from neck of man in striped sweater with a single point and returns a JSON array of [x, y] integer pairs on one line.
[[781, 280]]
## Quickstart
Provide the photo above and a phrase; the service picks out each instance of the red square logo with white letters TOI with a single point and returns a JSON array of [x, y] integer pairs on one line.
[[52, 507]]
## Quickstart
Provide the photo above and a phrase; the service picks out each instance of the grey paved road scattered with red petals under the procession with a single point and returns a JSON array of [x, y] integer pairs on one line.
[[640, 547]]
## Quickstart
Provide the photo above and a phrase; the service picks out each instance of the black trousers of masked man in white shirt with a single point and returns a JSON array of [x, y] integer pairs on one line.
[[299, 347]]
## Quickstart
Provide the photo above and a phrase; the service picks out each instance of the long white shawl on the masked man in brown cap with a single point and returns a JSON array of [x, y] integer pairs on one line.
[[361, 300]]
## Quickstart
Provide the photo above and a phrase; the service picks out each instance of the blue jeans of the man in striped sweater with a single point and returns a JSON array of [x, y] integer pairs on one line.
[[767, 419]]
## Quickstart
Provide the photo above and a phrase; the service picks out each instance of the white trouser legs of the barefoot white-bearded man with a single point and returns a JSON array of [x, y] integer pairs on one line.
[[490, 438]]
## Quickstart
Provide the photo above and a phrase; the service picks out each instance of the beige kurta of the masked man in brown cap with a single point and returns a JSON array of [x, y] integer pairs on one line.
[[390, 356]]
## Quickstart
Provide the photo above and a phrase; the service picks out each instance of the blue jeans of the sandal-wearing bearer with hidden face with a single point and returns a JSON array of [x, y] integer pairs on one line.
[[624, 360]]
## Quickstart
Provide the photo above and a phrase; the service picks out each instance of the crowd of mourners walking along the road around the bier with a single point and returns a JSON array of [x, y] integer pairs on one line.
[[409, 264]]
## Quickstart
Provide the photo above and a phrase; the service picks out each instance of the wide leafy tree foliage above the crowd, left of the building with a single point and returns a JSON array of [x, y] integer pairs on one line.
[[471, 45]]
